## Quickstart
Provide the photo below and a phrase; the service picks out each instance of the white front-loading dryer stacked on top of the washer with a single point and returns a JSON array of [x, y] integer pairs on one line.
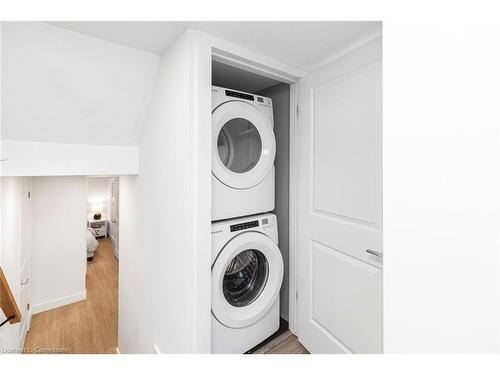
[[244, 148]]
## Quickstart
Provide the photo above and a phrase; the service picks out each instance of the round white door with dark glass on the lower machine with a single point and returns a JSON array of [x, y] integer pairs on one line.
[[246, 279]]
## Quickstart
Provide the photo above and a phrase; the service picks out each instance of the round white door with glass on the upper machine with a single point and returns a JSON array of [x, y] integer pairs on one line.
[[243, 145]]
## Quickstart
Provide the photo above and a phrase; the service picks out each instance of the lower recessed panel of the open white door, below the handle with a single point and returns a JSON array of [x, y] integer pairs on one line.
[[357, 308]]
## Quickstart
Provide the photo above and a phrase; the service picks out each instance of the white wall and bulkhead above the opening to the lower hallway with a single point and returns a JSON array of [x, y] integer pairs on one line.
[[62, 87]]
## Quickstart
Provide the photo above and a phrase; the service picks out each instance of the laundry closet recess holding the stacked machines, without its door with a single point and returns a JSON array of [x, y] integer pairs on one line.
[[251, 124]]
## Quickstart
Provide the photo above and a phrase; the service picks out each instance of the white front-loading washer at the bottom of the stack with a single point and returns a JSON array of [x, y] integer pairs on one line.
[[247, 272]]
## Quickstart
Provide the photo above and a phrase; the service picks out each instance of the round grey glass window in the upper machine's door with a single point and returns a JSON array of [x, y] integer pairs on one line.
[[239, 145]]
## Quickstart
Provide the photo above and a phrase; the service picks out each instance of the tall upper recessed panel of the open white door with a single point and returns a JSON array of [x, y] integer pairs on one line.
[[369, 123]]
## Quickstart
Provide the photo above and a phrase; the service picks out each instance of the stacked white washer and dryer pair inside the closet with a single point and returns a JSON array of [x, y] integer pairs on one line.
[[247, 265]]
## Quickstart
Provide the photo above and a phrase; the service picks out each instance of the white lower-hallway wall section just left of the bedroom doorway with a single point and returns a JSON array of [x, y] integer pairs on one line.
[[59, 213]]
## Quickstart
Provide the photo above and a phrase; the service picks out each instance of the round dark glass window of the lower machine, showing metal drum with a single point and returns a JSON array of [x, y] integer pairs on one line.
[[245, 278]]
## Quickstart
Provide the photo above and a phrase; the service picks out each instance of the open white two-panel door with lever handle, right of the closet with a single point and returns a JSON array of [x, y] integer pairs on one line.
[[339, 226]]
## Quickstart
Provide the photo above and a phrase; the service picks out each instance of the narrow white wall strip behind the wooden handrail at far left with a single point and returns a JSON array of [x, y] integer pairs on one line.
[[10, 235]]
